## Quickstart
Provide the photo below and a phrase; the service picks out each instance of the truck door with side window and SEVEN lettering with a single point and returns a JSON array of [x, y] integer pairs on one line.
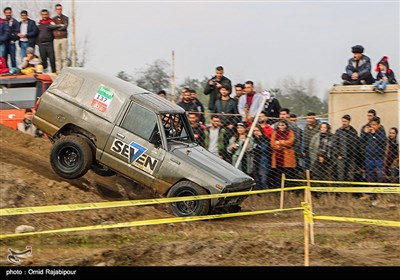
[[132, 148]]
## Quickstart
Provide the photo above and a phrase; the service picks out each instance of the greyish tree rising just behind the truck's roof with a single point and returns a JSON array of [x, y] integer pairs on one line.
[[154, 77]]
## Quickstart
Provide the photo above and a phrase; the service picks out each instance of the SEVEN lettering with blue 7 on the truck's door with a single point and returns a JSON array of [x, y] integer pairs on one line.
[[135, 154]]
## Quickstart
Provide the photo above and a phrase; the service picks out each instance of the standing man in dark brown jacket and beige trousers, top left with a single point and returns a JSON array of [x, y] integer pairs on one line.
[[60, 33]]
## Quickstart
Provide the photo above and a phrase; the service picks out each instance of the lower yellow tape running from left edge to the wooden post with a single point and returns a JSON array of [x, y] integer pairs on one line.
[[150, 222]]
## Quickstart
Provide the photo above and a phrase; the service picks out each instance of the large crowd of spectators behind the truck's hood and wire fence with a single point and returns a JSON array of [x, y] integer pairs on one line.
[[279, 146]]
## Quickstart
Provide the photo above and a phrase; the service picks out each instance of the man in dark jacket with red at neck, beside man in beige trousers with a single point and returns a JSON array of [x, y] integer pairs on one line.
[[45, 41]]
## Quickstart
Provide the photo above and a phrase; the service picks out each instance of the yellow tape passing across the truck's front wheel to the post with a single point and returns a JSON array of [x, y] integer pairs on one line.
[[111, 204]]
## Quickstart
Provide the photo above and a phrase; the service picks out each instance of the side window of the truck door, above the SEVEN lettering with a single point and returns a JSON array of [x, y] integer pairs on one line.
[[139, 121]]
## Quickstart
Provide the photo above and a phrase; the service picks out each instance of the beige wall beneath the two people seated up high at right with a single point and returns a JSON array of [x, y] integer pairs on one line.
[[357, 100]]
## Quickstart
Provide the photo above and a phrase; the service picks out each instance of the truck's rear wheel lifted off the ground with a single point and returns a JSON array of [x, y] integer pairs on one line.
[[71, 157]]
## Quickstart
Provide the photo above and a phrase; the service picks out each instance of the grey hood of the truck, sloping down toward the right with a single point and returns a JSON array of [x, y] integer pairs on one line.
[[220, 169]]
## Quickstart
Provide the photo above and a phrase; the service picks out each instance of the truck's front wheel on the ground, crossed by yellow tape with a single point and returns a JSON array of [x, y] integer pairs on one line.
[[188, 208]]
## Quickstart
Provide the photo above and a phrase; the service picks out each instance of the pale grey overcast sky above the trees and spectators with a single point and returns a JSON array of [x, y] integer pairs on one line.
[[263, 41]]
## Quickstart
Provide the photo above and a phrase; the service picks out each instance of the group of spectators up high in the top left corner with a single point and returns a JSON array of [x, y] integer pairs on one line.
[[42, 45]]
